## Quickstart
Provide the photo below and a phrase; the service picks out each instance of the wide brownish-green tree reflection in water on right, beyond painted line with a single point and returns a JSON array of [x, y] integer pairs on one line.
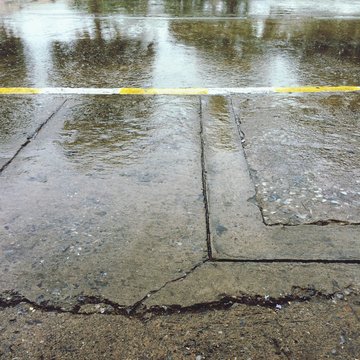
[[274, 53]]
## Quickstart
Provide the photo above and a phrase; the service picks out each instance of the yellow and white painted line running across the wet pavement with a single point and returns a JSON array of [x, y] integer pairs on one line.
[[176, 91]]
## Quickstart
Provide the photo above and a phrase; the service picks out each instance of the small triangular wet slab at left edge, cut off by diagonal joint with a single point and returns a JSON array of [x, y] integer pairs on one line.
[[20, 117]]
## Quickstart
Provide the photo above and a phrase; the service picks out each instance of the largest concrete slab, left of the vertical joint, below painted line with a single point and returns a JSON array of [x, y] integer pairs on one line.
[[107, 201]]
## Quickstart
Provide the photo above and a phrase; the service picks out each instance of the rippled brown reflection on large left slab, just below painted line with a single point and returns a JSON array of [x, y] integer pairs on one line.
[[101, 132]]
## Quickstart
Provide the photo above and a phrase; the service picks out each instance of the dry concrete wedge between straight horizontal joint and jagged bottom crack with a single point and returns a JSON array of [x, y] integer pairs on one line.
[[251, 281]]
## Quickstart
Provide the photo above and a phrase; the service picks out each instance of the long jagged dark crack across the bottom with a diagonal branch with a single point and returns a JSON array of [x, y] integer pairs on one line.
[[298, 294]]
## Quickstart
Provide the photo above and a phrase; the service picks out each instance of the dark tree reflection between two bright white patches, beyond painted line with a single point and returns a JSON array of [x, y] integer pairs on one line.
[[105, 58]]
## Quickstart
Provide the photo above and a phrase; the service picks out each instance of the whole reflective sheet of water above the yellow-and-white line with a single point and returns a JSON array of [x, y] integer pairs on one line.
[[144, 43]]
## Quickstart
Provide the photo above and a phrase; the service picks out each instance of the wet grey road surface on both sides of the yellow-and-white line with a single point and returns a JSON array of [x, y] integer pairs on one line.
[[114, 197]]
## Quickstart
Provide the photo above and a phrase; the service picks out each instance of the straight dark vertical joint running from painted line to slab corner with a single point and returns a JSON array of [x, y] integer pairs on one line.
[[205, 183]]
